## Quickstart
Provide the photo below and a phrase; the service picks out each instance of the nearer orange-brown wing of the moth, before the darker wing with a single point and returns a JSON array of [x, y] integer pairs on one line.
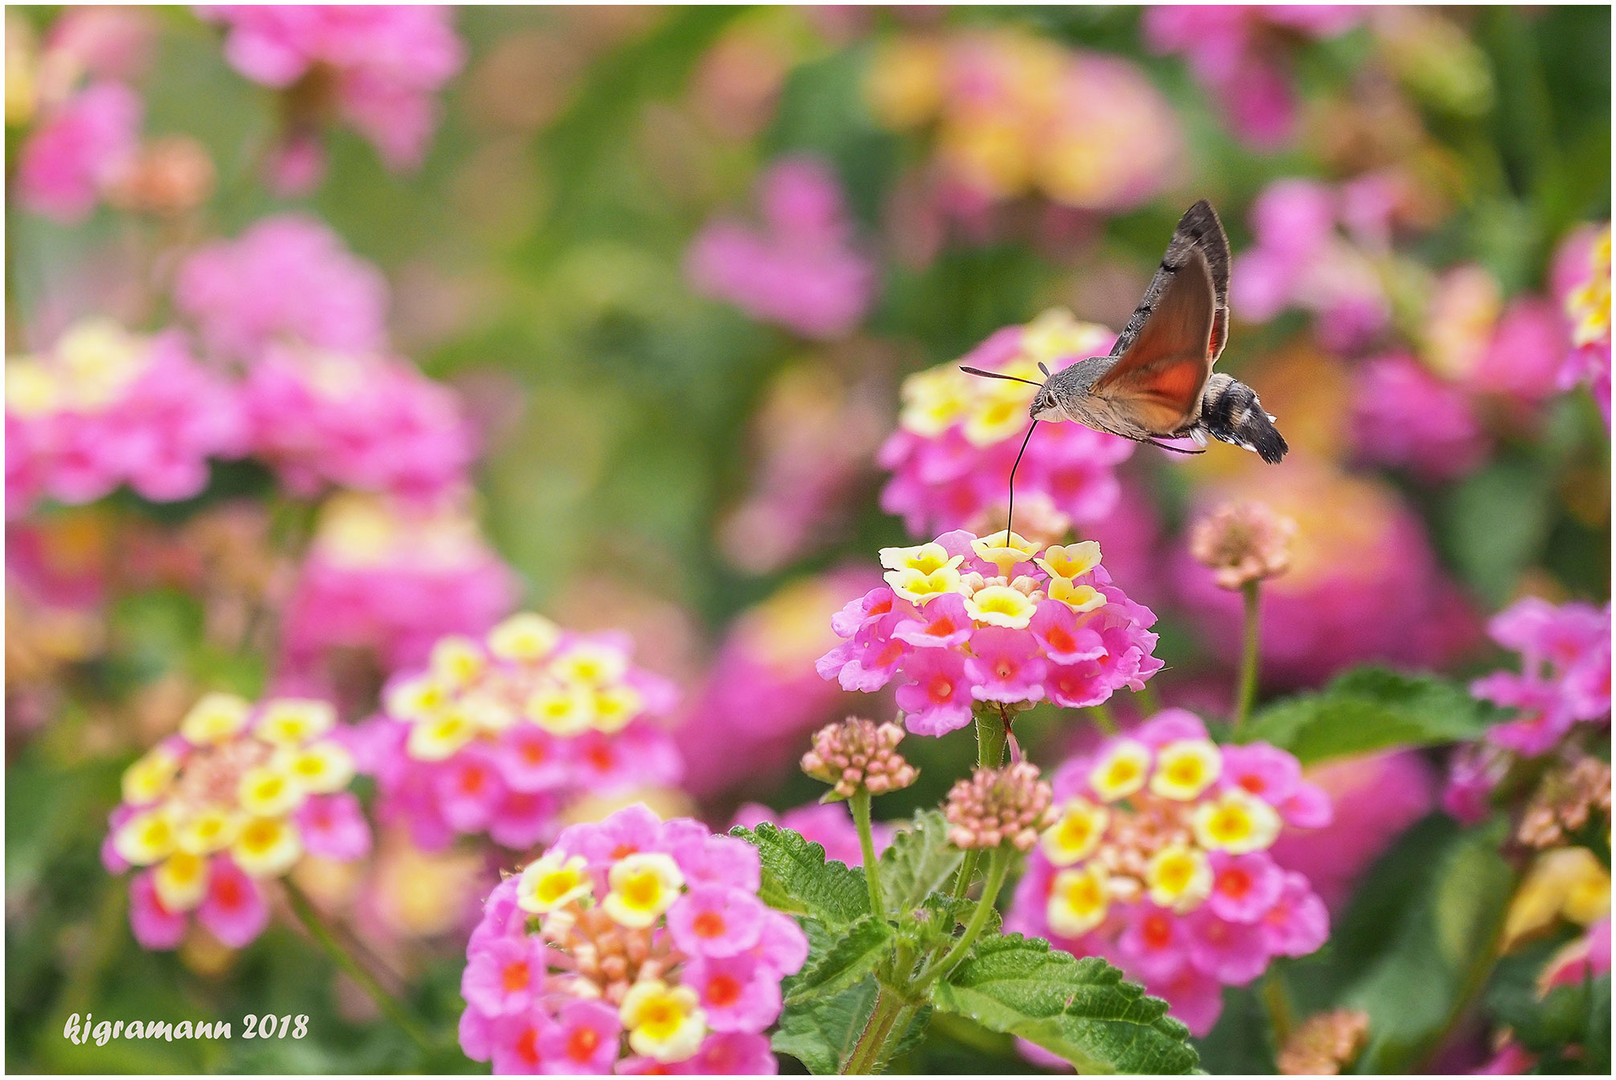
[[1164, 369]]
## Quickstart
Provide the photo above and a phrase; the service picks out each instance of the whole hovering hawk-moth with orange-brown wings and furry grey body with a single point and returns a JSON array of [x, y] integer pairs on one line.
[[1158, 382]]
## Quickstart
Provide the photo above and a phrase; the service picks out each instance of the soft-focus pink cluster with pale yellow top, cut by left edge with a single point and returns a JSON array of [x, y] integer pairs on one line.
[[106, 408]]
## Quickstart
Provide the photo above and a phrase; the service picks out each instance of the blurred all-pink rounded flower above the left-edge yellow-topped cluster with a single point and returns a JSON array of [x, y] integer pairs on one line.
[[288, 279]]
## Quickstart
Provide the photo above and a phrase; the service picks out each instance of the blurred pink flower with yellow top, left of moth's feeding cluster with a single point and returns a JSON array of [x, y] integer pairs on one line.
[[762, 698]]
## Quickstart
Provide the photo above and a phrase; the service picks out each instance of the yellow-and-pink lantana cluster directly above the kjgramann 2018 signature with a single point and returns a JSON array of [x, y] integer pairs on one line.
[[237, 799]]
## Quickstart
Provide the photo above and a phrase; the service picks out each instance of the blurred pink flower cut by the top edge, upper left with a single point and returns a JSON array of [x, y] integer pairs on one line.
[[382, 65]]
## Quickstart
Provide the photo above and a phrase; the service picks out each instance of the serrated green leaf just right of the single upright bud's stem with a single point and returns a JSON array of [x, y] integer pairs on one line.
[[1371, 709]]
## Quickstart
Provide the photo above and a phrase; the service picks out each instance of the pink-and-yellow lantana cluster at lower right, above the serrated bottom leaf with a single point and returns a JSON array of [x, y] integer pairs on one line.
[[1159, 863]]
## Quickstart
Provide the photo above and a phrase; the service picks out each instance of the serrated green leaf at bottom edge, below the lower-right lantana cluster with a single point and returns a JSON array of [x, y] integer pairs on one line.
[[1080, 1010]]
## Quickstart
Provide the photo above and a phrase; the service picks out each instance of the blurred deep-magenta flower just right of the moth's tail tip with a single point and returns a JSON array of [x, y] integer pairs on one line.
[[1405, 418]]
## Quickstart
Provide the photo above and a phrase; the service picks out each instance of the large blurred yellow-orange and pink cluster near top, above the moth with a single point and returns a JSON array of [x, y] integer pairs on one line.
[[1017, 114]]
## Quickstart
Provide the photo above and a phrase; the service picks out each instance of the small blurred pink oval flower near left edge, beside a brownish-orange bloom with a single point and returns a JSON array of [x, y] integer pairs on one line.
[[78, 151]]
